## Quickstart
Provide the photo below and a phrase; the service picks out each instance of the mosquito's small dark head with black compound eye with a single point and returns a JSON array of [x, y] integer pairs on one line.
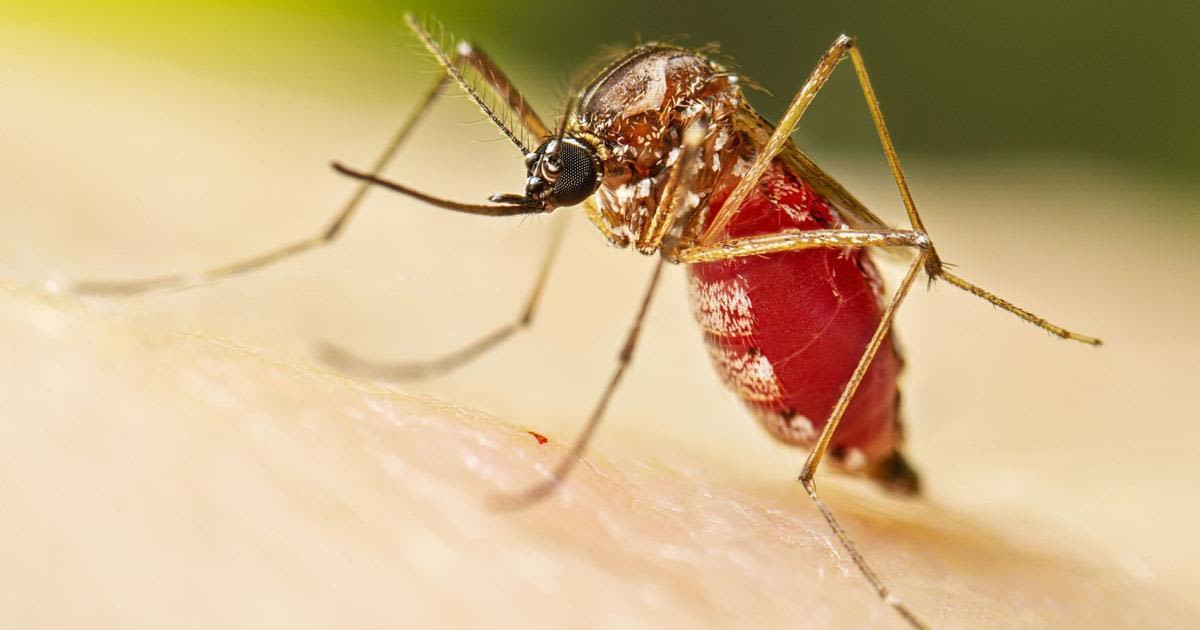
[[561, 172]]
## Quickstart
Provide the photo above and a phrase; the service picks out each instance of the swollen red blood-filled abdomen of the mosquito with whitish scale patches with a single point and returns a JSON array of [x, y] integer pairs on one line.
[[785, 331]]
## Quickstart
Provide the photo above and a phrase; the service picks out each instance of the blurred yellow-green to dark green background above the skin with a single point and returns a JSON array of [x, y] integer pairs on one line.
[[1109, 83]]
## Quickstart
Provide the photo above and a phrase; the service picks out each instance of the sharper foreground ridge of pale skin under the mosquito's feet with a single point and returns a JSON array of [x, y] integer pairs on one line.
[[153, 477]]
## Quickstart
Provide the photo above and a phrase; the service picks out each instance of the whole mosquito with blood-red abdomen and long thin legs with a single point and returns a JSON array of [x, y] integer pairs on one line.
[[668, 158]]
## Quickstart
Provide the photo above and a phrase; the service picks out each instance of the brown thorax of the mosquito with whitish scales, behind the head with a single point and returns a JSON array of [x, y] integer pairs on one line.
[[638, 111]]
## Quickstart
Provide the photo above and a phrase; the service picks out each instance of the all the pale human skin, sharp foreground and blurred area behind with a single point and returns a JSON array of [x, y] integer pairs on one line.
[[184, 460]]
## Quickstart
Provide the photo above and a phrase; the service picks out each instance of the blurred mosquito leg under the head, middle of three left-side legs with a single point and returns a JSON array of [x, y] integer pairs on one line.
[[454, 361]]
